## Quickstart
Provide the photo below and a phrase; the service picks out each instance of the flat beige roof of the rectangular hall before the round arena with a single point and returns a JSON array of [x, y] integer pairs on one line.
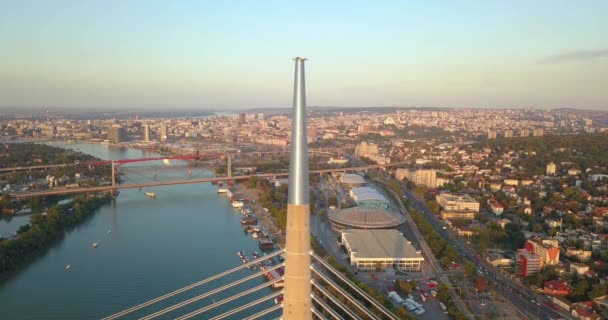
[[379, 244]]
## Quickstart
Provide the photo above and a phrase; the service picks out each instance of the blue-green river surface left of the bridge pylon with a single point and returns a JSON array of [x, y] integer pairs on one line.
[[147, 247]]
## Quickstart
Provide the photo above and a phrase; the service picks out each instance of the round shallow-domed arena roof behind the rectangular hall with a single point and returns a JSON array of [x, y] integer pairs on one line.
[[366, 218]]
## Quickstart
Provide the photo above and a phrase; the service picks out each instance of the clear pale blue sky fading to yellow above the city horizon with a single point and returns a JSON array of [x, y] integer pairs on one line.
[[237, 54]]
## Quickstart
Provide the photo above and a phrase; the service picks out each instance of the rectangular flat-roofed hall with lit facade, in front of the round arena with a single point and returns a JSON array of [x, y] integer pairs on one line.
[[380, 249]]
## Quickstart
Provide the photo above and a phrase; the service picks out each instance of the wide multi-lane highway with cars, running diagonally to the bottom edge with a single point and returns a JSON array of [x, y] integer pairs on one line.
[[528, 303]]
